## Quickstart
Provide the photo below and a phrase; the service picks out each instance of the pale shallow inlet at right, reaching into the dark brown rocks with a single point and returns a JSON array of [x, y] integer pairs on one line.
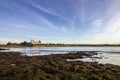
[[101, 58]]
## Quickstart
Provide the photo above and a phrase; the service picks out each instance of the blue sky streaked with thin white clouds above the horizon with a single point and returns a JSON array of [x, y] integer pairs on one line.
[[60, 21]]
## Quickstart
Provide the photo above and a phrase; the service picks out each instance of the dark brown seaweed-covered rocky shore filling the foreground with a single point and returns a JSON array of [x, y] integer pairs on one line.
[[13, 66]]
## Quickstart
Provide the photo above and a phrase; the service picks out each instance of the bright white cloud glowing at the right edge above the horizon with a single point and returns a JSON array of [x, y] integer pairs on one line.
[[109, 32]]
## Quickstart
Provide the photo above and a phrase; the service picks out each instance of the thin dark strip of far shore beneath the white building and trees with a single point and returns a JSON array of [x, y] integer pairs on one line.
[[58, 45]]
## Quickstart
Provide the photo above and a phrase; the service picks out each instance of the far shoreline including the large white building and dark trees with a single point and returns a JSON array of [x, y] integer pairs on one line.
[[38, 43]]
